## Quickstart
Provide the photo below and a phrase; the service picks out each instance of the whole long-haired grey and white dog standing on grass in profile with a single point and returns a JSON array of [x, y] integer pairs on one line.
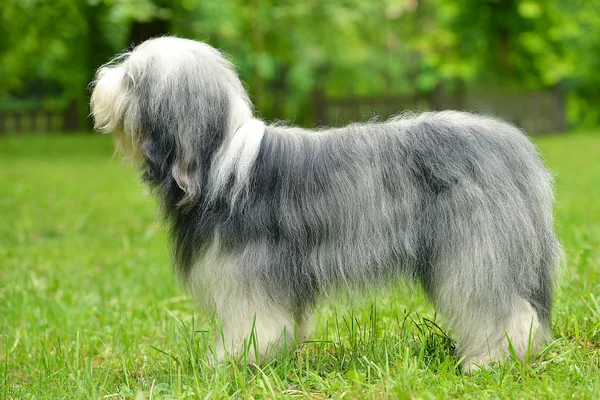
[[265, 219]]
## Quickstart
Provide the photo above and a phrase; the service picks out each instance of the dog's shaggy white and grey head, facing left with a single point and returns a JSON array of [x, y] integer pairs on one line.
[[170, 103]]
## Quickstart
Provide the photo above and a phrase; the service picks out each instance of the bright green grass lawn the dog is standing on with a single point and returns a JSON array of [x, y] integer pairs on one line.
[[89, 307]]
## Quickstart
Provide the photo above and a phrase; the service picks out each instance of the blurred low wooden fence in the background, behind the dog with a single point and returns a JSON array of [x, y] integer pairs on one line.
[[535, 112]]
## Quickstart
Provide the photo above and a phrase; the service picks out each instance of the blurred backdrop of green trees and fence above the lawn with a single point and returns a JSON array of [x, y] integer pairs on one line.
[[320, 62]]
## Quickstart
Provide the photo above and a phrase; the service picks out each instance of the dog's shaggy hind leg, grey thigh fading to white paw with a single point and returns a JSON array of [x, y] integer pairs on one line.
[[483, 269]]
